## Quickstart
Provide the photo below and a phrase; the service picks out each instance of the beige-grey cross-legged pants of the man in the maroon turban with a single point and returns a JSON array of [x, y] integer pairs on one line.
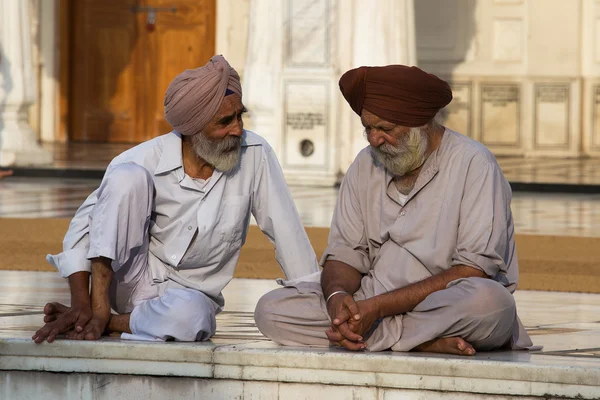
[[481, 311]]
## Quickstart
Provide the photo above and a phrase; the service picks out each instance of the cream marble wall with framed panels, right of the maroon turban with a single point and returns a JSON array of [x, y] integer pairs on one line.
[[516, 74]]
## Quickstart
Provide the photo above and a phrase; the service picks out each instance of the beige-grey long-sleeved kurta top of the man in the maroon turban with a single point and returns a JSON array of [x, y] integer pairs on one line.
[[457, 214]]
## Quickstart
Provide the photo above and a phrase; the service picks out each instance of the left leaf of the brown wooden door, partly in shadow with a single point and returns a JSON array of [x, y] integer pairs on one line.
[[104, 71]]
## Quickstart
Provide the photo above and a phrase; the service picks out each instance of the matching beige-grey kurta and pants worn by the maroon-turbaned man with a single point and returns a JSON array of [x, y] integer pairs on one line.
[[457, 214]]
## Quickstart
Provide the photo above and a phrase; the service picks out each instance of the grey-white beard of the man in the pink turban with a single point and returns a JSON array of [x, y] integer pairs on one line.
[[223, 154]]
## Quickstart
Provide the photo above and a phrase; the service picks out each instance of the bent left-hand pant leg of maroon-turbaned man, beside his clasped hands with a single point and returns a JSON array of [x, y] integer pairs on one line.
[[294, 316]]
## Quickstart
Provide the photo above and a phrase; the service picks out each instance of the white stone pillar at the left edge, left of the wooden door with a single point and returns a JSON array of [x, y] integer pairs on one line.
[[18, 142]]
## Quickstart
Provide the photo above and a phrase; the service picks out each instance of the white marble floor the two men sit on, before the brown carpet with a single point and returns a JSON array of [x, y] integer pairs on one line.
[[564, 323]]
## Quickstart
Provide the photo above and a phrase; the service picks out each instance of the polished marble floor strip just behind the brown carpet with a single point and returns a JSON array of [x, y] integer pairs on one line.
[[534, 213]]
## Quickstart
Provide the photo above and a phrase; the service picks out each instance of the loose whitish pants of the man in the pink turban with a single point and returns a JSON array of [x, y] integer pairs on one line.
[[118, 227]]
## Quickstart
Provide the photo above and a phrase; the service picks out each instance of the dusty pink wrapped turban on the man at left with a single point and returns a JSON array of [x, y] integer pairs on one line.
[[195, 95]]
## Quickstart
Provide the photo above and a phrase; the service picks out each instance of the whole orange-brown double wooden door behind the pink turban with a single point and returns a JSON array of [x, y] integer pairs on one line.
[[121, 67]]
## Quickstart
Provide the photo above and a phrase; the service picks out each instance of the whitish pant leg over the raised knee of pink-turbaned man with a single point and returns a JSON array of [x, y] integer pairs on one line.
[[118, 229]]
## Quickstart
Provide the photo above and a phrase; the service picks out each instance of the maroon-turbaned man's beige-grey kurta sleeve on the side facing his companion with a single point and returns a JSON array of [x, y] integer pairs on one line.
[[347, 237]]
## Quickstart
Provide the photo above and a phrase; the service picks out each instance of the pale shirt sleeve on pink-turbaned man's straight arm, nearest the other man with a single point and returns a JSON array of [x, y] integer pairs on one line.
[[277, 216]]
